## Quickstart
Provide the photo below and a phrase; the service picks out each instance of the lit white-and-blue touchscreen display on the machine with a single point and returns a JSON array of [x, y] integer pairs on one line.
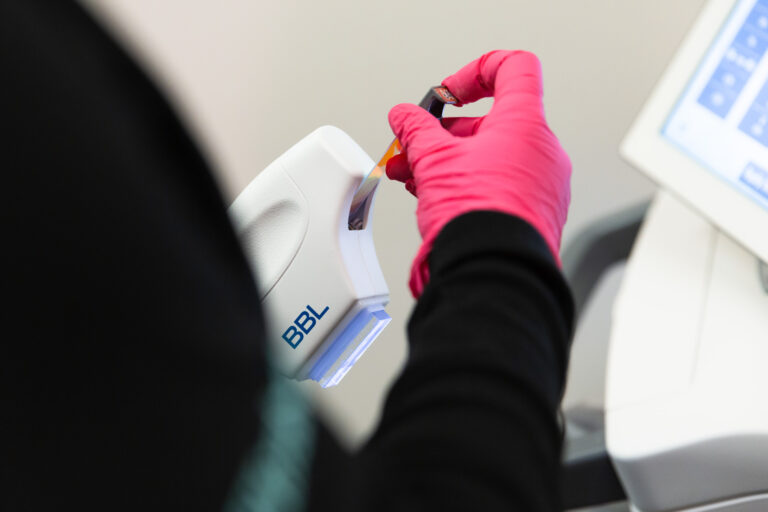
[[721, 119]]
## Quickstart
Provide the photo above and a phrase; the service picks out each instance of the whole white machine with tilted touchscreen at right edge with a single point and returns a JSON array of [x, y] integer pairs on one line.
[[687, 384]]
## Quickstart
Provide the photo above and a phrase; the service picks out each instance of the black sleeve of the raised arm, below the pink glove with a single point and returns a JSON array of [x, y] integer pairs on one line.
[[471, 423]]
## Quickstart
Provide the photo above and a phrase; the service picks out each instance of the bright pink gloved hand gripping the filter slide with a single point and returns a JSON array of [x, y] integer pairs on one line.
[[507, 161]]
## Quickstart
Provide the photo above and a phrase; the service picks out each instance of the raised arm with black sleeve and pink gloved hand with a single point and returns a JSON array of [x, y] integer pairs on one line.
[[471, 423]]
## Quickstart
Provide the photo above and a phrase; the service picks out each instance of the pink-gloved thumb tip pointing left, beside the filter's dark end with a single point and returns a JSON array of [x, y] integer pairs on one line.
[[418, 131]]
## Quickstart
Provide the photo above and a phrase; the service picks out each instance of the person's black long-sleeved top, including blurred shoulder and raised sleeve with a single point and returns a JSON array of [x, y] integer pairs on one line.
[[133, 372]]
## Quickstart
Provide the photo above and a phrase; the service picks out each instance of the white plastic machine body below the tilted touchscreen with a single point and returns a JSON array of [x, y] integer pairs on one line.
[[686, 406]]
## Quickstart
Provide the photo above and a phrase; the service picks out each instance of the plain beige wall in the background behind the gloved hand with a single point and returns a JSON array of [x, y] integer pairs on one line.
[[253, 77]]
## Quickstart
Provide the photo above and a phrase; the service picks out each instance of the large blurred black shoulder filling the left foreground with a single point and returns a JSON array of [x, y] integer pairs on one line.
[[131, 356]]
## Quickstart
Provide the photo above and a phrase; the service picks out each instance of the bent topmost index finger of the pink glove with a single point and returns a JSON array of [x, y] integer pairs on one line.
[[513, 78]]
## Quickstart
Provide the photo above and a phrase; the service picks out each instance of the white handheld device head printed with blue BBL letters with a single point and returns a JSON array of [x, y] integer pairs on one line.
[[320, 282]]
